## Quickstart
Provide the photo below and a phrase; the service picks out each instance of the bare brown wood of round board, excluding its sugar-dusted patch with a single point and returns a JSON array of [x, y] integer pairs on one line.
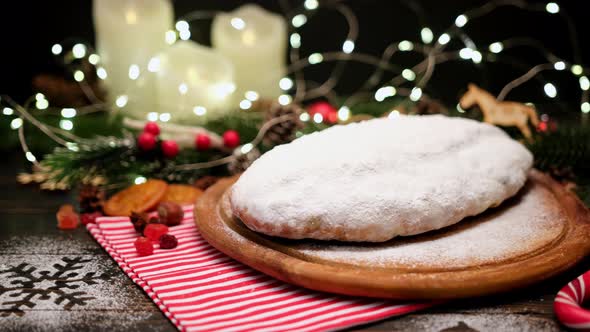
[[284, 259]]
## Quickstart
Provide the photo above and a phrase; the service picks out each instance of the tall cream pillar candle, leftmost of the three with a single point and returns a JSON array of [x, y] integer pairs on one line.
[[128, 34]]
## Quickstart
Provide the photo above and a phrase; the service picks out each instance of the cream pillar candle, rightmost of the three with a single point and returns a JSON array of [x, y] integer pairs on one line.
[[255, 41]]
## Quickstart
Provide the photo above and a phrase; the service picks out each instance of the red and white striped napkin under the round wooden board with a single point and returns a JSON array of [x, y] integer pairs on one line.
[[201, 289]]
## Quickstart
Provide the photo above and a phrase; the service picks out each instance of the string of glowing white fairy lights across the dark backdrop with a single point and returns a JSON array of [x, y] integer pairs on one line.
[[411, 83]]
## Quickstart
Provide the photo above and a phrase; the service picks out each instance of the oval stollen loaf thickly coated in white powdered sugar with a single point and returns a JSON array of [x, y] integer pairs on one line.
[[374, 180]]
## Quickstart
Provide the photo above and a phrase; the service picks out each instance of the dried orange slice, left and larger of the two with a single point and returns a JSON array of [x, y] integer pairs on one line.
[[138, 198]]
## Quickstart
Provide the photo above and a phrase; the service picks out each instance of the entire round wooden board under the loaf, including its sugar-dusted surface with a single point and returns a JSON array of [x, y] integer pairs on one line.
[[541, 232]]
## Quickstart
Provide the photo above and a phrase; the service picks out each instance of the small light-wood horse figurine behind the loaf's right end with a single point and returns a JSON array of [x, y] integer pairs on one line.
[[503, 113]]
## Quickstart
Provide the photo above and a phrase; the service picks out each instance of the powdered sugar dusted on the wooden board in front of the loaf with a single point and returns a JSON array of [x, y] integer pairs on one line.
[[532, 222]]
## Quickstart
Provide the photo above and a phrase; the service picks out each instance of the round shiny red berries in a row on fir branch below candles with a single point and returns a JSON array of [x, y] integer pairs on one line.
[[148, 140]]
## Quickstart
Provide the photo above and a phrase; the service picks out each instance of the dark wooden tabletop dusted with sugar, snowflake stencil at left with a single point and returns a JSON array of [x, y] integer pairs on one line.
[[66, 282]]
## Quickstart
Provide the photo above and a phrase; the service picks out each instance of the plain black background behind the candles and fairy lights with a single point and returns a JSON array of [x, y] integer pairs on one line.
[[29, 28]]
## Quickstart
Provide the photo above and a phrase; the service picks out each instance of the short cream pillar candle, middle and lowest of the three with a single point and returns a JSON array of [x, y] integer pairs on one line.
[[193, 82]]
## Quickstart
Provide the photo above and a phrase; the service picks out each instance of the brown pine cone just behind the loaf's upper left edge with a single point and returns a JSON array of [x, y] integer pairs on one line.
[[283, 132]]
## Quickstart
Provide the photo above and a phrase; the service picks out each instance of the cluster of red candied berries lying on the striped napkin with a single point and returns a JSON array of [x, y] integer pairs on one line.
[[155, 229]]
